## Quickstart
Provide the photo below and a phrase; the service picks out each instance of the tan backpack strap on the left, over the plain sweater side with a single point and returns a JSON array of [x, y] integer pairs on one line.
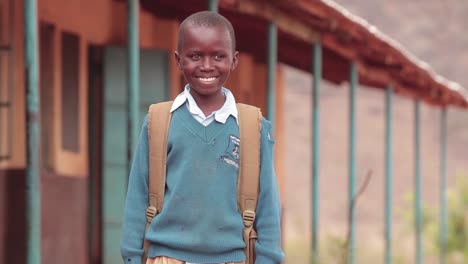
[[159, 118]]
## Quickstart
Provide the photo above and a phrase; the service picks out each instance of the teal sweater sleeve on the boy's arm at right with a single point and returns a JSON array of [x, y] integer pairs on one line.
[[268, 213]]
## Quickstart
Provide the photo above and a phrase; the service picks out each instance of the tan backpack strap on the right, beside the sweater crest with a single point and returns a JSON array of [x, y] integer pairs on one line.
[[250, 119]]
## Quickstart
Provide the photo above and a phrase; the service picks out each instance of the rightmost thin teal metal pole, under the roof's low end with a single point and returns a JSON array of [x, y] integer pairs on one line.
[[443, 185]]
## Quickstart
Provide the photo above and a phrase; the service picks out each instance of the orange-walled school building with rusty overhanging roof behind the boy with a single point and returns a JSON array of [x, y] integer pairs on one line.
[[85, 78]]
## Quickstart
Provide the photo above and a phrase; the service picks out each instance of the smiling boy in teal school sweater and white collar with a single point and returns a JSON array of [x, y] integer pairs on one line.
[[200, 221]]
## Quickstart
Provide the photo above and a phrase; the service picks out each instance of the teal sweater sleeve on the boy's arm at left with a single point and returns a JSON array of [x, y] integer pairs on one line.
[[134, 221]]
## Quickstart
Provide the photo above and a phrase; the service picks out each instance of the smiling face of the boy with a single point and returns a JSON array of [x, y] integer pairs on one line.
[[206, 58]]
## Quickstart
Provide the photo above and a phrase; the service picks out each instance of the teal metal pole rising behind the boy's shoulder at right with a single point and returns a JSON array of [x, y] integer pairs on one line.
[[271, 75]]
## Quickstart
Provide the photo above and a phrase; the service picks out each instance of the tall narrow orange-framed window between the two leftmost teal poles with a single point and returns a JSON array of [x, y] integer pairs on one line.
[[70, 75]]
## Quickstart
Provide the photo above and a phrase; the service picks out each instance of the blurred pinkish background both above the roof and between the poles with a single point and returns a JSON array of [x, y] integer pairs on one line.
[[433, 30]]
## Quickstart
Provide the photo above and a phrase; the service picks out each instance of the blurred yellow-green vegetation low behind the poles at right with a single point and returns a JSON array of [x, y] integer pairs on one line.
[[333, 247]]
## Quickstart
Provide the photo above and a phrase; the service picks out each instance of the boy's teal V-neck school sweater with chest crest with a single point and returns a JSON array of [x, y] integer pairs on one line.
[[200, 221]]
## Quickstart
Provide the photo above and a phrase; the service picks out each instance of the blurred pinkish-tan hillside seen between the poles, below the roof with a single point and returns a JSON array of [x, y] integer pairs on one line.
[[370, 156]]
